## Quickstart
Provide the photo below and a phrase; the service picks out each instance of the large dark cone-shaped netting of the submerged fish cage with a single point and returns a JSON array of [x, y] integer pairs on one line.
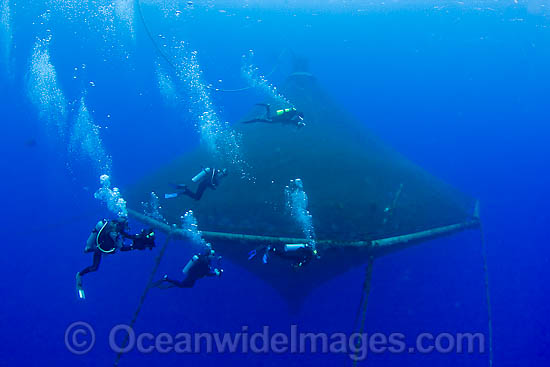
[[358, 188]]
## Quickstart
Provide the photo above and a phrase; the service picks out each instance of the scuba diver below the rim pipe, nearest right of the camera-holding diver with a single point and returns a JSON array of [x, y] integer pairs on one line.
[[201, 265]]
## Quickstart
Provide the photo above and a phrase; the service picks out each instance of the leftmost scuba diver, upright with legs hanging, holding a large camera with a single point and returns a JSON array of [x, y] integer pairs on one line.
[[106, 238]]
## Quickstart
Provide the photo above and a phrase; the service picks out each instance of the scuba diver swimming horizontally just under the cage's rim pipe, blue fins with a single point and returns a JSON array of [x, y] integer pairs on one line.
[[300, 254]]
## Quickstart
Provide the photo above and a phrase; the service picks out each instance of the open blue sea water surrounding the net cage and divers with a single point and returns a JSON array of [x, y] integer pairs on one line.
[[460, 90]]
